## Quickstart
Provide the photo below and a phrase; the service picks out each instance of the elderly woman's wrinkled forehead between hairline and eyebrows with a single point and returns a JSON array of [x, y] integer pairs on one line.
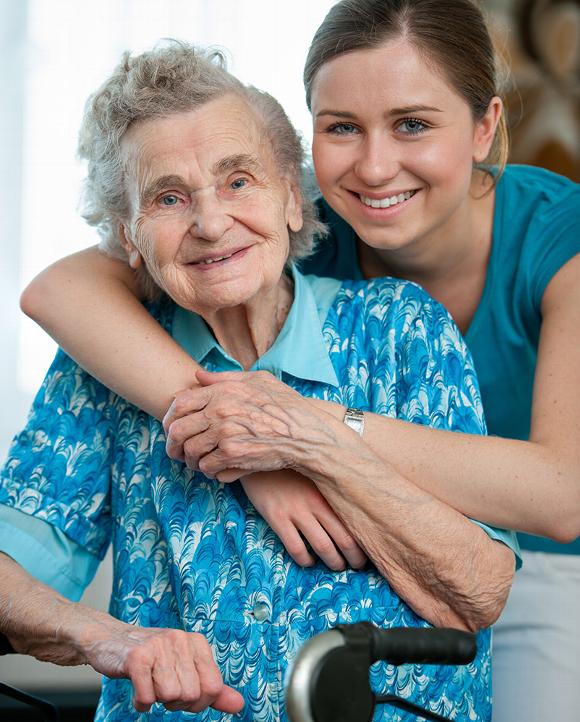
[[196, 141]]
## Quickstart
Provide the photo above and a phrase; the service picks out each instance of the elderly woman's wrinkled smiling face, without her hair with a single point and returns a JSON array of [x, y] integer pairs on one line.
[[209, 211]]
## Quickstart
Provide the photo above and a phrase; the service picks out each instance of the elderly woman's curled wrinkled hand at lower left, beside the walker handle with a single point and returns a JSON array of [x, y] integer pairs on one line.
[[164, 665]]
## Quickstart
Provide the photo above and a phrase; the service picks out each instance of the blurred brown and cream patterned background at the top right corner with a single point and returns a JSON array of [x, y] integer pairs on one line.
[[540, 40]]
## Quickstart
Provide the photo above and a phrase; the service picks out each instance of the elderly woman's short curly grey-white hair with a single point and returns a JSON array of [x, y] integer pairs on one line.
[[172, 78]]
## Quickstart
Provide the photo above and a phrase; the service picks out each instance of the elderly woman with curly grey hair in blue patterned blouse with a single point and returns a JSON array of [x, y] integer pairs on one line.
[[195, 179]]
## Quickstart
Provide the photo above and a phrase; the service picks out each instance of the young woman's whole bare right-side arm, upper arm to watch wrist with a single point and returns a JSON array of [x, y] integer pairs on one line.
[[531, 486]]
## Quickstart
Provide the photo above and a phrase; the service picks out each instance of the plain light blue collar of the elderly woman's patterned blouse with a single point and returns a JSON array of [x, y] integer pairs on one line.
[[299, 350]]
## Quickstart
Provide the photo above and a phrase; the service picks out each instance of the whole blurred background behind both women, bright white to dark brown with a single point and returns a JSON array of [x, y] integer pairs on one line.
[[55, 53]]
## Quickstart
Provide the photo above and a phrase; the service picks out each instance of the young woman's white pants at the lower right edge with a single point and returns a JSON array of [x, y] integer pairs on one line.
[[536, 643]]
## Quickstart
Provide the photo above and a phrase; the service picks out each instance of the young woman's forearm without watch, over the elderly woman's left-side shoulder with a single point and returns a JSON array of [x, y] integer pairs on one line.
[[89, 304]]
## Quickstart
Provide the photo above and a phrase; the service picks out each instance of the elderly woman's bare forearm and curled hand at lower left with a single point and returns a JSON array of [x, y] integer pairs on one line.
[[165, 665]]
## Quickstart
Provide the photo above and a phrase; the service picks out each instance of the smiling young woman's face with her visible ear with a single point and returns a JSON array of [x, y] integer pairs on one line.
[[394, 145]]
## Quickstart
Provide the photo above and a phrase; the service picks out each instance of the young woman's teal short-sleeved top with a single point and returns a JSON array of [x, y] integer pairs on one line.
[[536, 231]]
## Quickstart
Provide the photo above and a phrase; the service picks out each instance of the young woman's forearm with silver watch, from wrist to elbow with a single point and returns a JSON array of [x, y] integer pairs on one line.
[[521, 485]]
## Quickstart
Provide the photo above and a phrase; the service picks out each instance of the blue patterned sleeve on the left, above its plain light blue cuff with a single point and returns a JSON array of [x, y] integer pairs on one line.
[[59, 466]]
